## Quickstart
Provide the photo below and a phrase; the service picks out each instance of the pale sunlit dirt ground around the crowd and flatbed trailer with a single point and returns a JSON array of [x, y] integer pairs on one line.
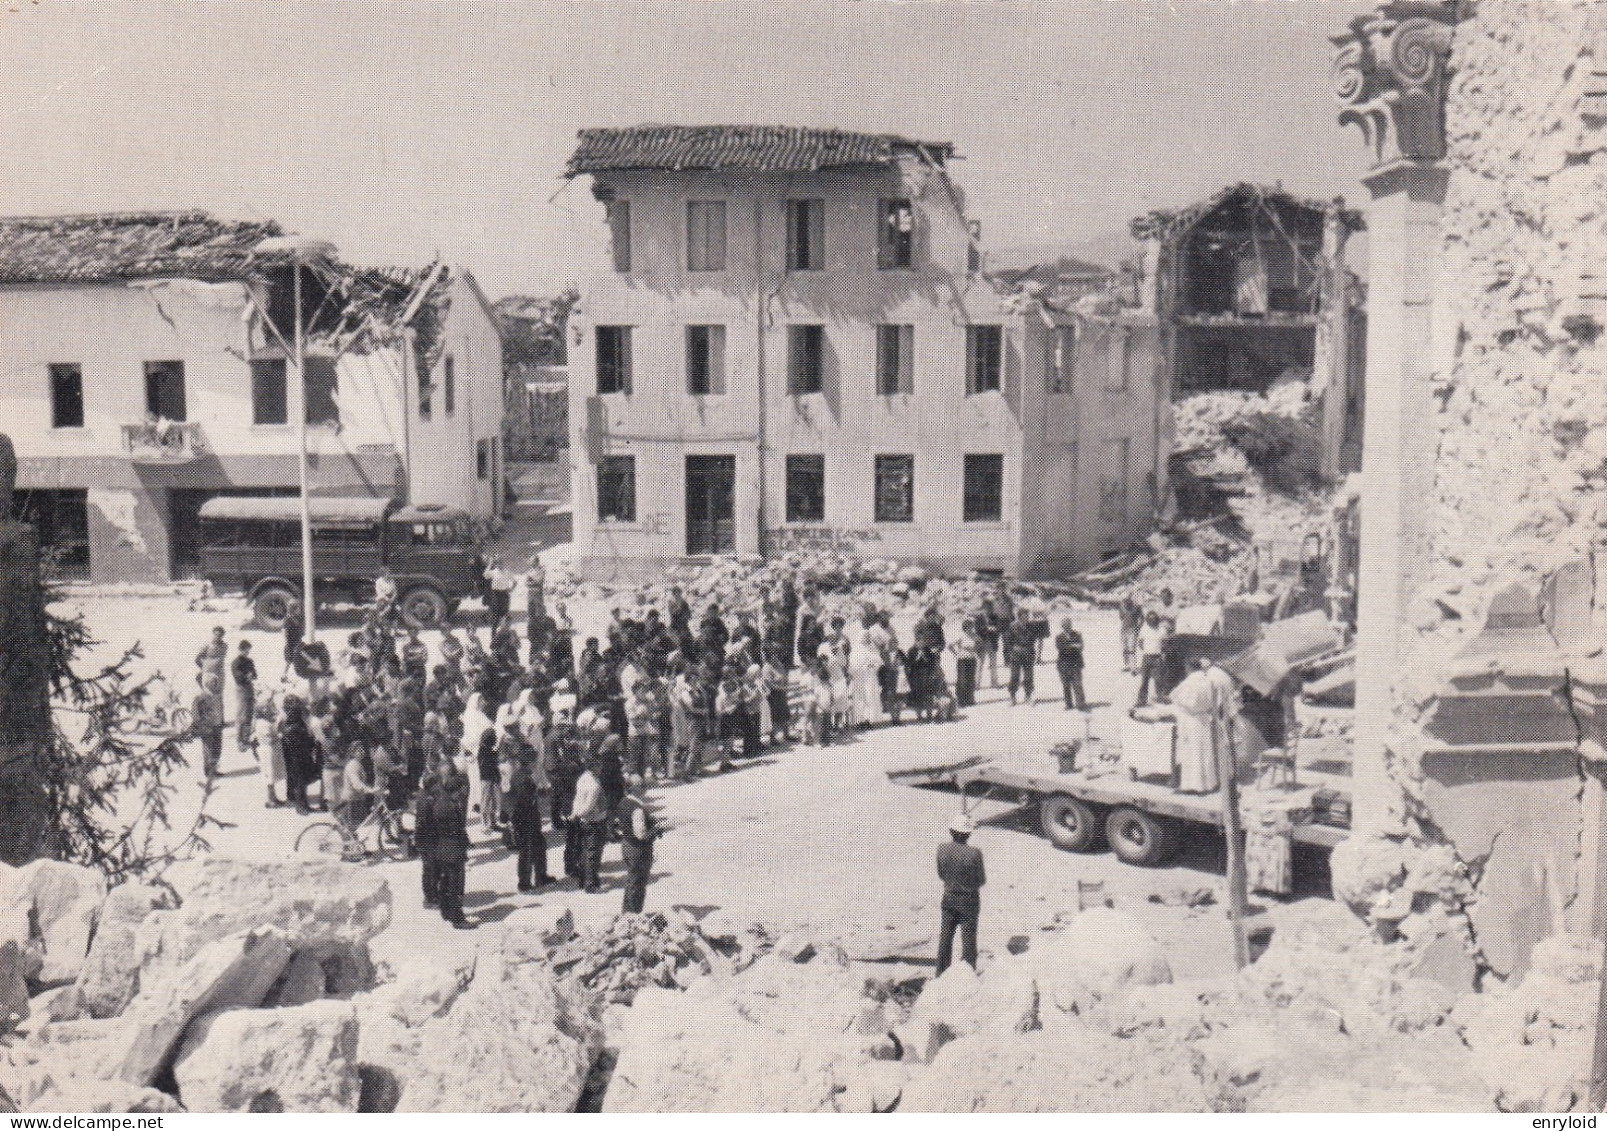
[[814, 839]]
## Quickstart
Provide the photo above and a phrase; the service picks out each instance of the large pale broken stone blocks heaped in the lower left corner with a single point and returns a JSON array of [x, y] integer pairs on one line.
[[256, 994]]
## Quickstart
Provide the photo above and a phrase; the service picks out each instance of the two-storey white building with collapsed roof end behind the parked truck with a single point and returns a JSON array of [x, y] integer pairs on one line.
[[150, 370]]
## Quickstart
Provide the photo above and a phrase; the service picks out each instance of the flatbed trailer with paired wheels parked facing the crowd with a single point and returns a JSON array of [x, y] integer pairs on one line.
[[1081, 812]]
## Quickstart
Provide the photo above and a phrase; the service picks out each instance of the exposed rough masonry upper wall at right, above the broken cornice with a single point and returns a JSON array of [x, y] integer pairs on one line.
[[1521, 439]]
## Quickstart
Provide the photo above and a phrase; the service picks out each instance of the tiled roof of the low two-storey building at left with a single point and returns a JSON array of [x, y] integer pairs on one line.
[[128, 247]]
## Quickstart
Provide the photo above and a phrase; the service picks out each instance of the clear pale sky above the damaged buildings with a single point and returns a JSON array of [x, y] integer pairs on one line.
[[411, 131]]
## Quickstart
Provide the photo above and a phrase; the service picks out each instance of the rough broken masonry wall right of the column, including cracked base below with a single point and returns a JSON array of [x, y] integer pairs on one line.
[[1516, 460]]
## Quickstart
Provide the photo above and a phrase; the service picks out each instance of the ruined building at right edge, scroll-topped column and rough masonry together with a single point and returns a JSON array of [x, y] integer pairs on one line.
[[1481, 684]]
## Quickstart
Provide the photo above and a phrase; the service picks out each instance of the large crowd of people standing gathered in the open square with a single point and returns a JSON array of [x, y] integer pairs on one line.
[[526, 735]]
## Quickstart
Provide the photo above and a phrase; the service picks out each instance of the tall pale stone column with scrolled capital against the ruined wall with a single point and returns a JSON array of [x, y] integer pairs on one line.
[[1389, 76]]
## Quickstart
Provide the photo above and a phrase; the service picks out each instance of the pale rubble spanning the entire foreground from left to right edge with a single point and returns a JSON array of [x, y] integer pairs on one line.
[[256, 994]]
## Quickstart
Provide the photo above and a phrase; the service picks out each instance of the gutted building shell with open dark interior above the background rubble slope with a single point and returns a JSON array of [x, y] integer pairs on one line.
[[1251, 290]]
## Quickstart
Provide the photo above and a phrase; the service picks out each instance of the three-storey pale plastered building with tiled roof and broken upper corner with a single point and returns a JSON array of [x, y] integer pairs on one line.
[[798, 348]]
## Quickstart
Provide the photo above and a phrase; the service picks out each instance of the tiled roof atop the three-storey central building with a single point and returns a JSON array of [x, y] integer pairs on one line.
[[748, 149]]
